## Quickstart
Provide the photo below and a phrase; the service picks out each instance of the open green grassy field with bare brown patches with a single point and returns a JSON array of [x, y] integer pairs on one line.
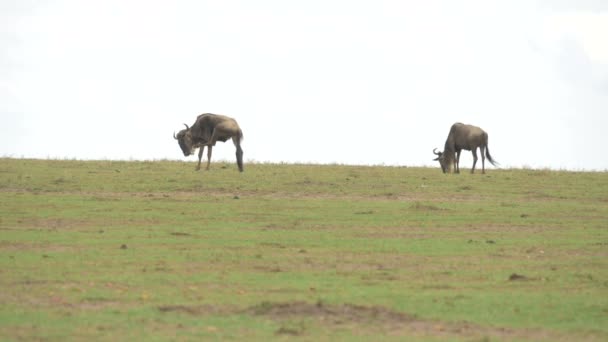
[[154, 250]]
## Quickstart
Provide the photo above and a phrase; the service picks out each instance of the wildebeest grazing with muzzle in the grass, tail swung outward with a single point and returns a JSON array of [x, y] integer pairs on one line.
[[464, 137]]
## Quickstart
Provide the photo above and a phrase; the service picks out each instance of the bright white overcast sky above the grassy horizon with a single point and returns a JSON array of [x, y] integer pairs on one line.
[[354, 82]]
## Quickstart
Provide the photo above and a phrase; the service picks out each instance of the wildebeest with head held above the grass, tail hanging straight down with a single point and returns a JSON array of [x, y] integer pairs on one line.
[[206, 131]]
